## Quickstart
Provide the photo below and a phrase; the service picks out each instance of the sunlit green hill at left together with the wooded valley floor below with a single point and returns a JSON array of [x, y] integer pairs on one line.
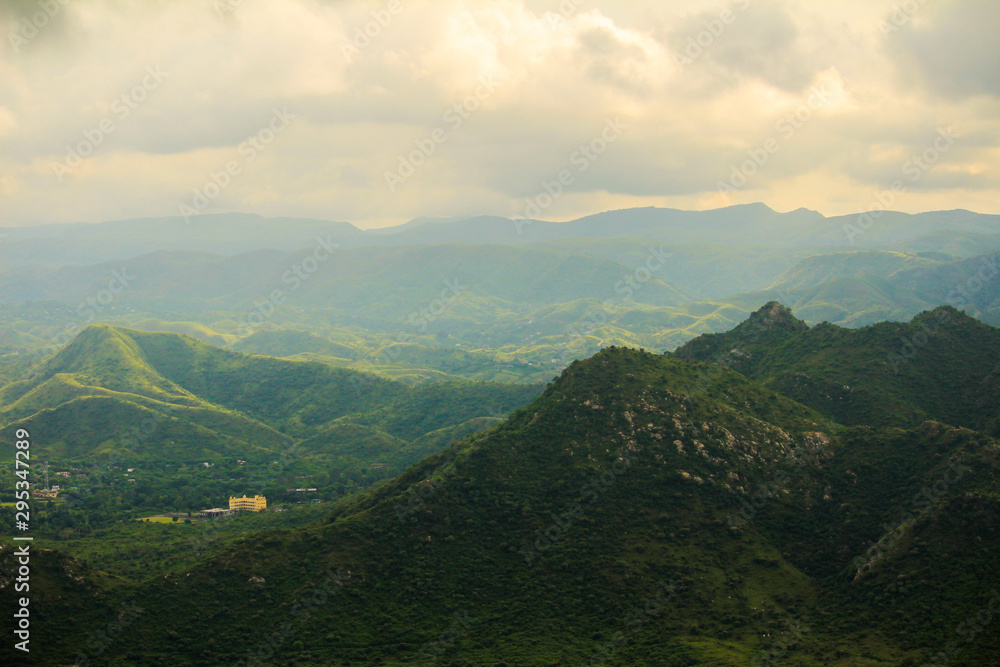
[[198, 423]]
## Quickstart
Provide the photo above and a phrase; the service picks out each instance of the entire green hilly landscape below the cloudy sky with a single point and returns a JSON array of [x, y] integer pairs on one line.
[[758, 489]]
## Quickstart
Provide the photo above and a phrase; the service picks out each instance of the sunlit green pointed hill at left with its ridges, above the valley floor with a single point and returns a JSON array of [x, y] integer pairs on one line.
[[150, 397]]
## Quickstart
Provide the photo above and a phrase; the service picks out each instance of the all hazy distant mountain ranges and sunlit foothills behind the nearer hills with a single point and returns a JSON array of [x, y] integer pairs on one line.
[[516, 301]]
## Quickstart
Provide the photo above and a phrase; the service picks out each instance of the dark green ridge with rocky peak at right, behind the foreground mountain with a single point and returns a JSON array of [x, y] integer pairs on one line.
[[943, 365]]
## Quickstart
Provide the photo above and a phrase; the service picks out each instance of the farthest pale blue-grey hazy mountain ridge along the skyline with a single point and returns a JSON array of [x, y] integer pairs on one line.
[[235, 233]]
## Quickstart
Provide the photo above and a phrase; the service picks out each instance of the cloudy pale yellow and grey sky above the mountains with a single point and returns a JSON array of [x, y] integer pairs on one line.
[[379, 112]]
